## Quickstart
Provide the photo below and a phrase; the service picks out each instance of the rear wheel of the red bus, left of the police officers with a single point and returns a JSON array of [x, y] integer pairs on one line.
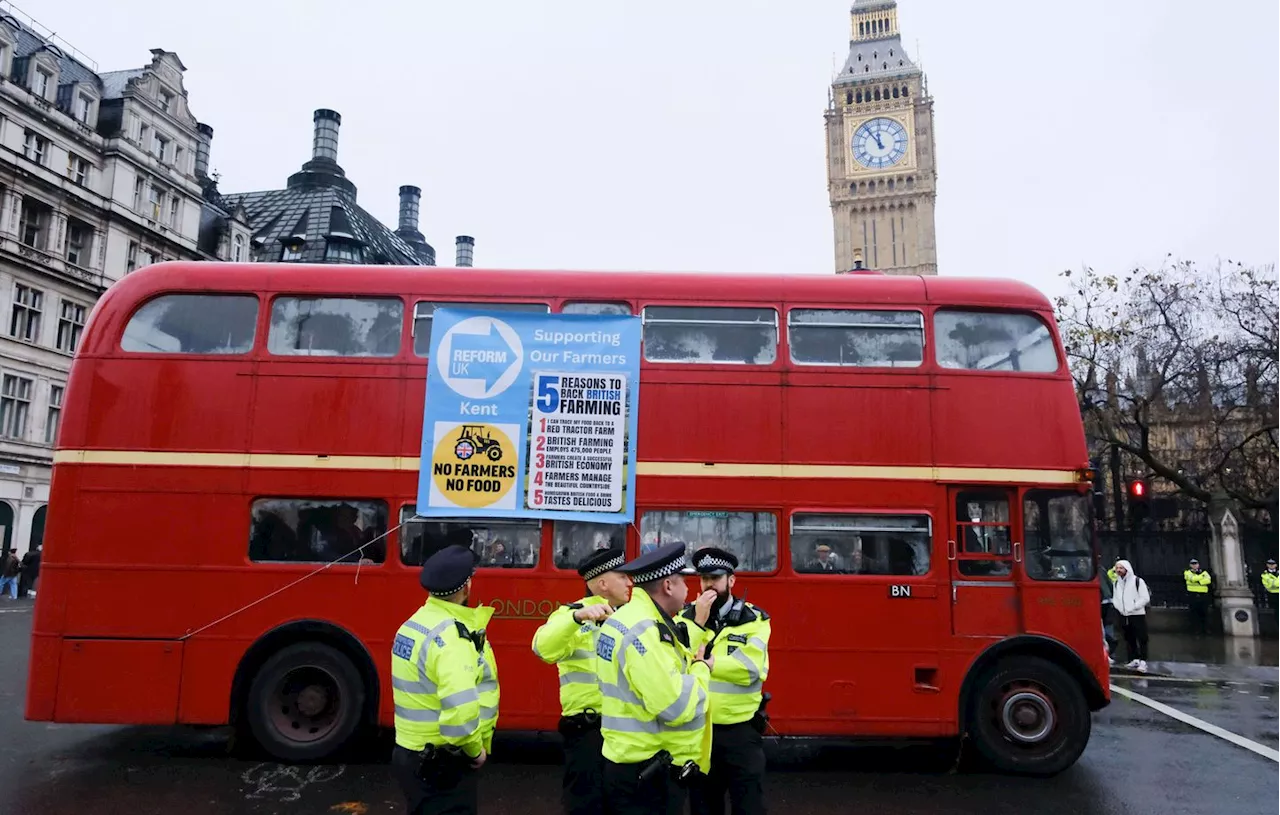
[[307, 703]]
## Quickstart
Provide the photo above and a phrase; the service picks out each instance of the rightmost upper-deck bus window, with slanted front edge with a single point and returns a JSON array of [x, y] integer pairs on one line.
[[986, 341]]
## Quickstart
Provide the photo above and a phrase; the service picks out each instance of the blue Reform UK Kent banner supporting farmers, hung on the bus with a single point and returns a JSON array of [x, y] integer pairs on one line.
[[531, 415]]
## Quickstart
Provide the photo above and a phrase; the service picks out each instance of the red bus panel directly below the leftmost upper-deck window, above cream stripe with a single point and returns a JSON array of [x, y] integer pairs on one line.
[[168, 404]]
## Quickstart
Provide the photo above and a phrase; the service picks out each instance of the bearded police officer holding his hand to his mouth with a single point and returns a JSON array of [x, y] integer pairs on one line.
[[738, 637]]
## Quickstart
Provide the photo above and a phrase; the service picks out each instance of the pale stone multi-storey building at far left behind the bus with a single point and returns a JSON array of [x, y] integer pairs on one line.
[[98, 178]]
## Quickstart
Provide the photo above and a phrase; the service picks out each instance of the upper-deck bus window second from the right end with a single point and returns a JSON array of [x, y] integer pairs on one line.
[[862, 338]]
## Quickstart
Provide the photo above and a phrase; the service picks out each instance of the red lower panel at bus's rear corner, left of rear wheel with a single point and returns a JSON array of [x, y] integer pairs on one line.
[[120, 681]]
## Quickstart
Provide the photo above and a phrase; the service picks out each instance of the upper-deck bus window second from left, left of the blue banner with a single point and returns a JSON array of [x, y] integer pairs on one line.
[[336, 327]]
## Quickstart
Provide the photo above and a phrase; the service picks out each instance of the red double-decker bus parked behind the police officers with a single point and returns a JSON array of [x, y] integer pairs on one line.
[[899, 464]]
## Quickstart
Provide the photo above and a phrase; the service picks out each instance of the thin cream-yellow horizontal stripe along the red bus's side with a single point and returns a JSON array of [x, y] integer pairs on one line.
[[412, 464]]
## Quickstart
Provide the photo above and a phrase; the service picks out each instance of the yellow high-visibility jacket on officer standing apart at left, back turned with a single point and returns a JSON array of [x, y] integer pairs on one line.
[[445, 679]]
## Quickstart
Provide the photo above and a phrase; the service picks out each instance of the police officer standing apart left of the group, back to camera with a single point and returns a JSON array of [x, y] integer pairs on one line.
[[445, 681]]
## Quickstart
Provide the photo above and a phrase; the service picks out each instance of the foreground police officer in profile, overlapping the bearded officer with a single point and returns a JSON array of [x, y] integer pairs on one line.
[[655, 725]]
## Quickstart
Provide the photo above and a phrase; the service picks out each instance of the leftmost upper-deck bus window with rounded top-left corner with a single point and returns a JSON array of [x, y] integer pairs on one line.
[[213, 324]]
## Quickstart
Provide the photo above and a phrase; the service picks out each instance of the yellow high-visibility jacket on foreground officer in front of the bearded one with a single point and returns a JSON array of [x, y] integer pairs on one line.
[[655, 697]]
